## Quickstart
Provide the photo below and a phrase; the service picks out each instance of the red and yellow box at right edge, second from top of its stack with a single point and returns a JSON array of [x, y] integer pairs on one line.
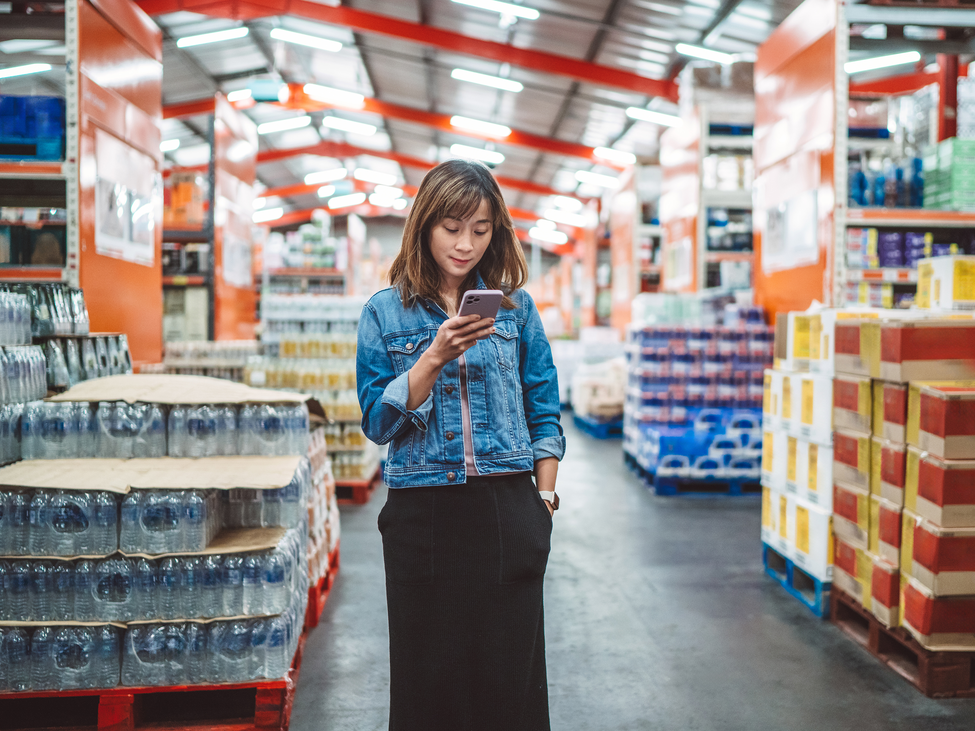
[[946, 421]]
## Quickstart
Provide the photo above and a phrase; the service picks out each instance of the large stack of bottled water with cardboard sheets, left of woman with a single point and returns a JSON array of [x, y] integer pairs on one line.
[[157, 534]]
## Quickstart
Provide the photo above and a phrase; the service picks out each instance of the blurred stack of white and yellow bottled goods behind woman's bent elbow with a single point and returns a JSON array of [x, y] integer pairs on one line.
[[310, 346]]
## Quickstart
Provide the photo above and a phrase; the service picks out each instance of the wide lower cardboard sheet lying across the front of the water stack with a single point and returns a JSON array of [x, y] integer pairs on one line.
[[165, 473]]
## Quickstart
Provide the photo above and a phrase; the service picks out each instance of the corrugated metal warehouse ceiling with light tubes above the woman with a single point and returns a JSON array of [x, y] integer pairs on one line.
[[633, 36]]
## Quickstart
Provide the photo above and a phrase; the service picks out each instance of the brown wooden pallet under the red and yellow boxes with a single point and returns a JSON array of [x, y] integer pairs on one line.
[[936, 674]]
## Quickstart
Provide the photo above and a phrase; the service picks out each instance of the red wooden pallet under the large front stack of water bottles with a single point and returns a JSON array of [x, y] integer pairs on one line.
[[260, 705]]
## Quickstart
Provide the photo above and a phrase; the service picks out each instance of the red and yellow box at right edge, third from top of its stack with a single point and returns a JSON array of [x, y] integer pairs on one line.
[[939, 490]]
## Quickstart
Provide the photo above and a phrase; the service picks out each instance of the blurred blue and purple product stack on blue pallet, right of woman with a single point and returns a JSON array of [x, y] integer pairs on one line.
[[691, 420]]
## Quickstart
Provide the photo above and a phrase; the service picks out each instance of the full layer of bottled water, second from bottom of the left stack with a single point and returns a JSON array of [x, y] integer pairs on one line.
[[121, 589]]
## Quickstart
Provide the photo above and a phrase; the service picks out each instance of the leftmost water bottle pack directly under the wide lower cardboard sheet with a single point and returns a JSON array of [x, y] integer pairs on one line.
[[58, 523]]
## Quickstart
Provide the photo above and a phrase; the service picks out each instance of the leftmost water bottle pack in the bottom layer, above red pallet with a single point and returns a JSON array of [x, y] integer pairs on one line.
[[59, 658]]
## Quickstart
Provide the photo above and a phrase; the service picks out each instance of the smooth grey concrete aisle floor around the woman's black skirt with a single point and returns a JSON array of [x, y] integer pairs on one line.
[[658, 616]]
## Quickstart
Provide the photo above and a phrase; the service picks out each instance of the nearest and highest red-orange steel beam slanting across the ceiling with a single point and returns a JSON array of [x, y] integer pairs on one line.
[[426, 35]]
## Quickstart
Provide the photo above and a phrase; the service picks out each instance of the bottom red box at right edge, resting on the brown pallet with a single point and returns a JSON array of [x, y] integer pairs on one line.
[[939, 623]]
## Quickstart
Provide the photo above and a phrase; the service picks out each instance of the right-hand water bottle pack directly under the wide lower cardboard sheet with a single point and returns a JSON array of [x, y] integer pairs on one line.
[[169, 521]]
